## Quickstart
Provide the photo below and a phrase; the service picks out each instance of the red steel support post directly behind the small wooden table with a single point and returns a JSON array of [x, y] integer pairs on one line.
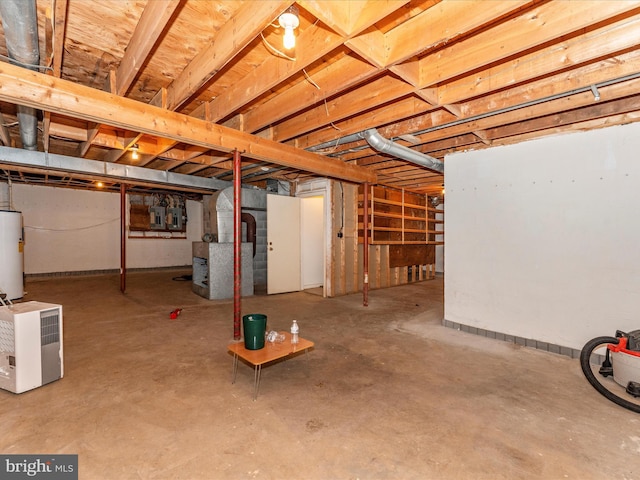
[[237, 244]]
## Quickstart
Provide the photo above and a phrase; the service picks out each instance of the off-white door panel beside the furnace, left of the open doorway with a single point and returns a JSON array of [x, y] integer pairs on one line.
[[283, 244]]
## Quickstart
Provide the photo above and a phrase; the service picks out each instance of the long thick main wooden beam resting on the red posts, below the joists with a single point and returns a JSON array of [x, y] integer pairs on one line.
[[29, 88]]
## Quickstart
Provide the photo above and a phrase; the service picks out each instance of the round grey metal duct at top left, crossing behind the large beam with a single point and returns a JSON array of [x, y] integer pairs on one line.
[[20, 25]]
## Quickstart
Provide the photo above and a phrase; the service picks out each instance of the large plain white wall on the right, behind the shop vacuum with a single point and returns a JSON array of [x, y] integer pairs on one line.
[[542, 239]]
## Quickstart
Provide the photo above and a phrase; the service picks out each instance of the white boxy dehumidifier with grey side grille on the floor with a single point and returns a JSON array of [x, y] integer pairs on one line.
[[30, 345]]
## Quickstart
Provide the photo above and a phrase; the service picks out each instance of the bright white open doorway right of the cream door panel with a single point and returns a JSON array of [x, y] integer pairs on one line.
[[312, 241]]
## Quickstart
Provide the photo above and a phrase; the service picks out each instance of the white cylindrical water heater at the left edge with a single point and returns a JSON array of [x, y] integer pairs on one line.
[[11, 254]]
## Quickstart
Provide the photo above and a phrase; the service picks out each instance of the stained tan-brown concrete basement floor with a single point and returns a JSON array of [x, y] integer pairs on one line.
[[387, 393]]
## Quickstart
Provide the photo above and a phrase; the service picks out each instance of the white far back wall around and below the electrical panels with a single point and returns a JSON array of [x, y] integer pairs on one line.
[[68, 230]]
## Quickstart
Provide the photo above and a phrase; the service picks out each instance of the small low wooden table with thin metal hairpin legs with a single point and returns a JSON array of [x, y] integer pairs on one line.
[[270, 352]]
